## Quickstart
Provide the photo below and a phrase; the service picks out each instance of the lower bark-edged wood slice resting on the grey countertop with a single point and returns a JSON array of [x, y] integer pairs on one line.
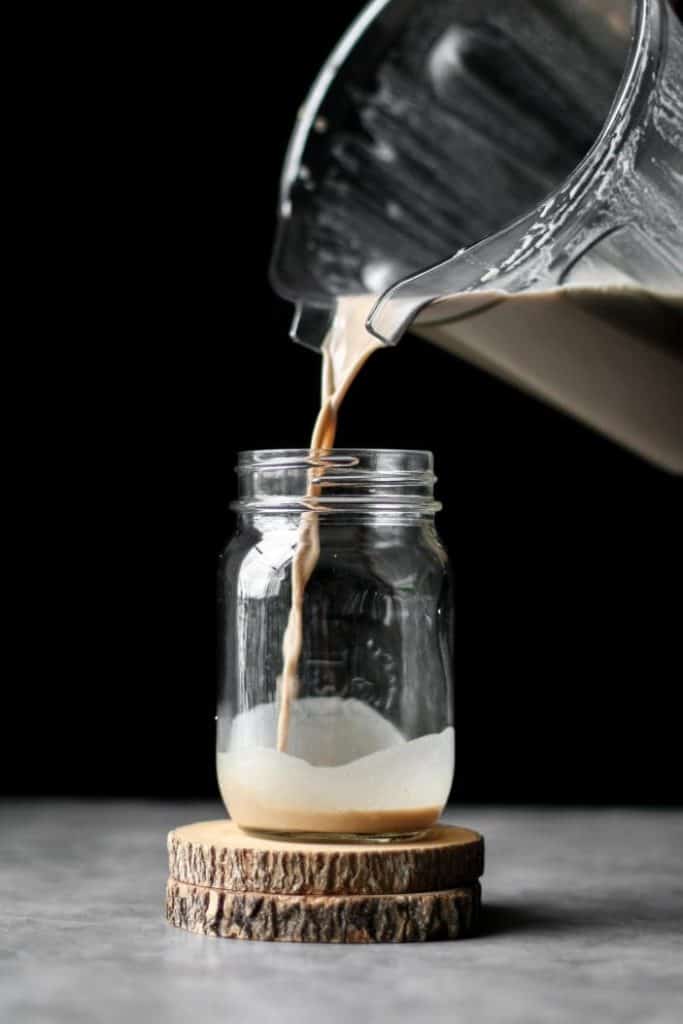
[[277, 918]]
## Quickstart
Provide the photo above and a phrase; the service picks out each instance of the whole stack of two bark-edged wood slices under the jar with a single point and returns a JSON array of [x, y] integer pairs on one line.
[[224, 882]]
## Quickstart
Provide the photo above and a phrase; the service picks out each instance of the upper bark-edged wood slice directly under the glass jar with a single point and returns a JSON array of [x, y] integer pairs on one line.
[[219, 856]]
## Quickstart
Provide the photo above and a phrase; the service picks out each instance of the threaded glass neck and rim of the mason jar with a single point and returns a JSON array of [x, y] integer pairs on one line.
[[347, 481]]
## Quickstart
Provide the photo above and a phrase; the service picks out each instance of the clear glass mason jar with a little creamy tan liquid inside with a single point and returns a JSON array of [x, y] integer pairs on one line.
[[368, 748]]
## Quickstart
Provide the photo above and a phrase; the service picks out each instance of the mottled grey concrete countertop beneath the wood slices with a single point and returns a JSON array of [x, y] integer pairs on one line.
[[583, 922]]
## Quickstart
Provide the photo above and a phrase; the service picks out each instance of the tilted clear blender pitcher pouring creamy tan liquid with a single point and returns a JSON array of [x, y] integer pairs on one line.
[[507, 181]]
